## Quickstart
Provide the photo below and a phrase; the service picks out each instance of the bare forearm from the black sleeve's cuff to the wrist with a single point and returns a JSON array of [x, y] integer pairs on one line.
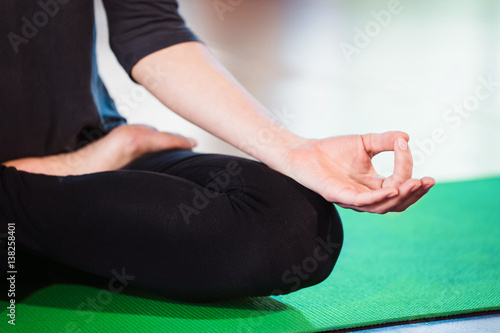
[[189, 81]]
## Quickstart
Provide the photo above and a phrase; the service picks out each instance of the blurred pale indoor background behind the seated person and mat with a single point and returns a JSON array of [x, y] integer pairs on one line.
[[338, 67]]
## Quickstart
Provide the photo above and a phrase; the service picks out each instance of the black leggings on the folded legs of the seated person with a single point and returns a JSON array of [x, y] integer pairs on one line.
[[187, 226]]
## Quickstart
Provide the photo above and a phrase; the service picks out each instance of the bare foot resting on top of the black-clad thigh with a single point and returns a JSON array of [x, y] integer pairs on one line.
[[115, 150]]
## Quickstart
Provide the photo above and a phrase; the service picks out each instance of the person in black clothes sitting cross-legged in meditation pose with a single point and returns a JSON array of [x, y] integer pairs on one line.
[[87, 190]]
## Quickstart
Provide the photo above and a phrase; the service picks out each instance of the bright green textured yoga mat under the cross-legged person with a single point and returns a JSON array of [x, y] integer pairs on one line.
[[439, 258]]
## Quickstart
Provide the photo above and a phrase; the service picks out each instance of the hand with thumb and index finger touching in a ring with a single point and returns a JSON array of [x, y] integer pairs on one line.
[[340, 169]]
